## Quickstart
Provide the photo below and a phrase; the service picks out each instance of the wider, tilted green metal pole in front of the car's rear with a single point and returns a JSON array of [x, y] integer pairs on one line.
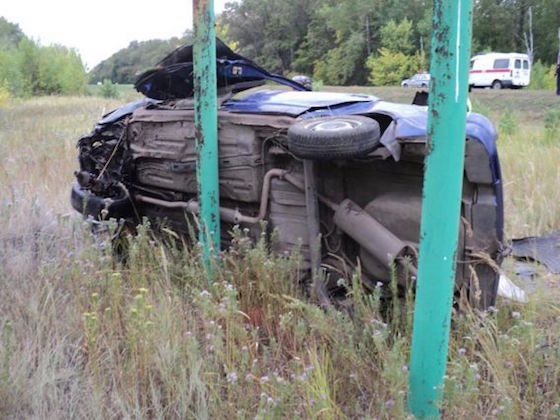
[[451, 37]]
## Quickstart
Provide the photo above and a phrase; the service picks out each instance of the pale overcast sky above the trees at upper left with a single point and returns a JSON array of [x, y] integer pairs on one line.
[[99, 28]]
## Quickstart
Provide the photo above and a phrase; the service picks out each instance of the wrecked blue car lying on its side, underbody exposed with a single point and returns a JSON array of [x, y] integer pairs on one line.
[[345, 168]]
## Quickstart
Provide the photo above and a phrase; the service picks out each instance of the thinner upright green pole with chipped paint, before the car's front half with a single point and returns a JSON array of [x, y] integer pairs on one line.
[[206, 126]]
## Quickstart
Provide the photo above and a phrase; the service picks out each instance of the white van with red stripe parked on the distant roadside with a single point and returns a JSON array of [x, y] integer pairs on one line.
[[500, 70]]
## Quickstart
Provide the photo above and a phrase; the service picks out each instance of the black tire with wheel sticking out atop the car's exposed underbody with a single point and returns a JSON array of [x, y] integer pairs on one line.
[[338, 137]]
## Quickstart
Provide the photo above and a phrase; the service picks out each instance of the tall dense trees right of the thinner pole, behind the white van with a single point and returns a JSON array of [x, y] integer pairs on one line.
[[377, 41]]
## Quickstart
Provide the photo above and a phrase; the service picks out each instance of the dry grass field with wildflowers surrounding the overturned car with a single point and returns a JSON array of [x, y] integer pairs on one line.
[[83, 337]]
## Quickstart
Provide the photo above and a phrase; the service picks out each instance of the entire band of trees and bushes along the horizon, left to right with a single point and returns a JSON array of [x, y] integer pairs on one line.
[[350, 42]]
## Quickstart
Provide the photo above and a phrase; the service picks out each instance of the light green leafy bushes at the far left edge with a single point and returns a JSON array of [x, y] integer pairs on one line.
[[27, 69]]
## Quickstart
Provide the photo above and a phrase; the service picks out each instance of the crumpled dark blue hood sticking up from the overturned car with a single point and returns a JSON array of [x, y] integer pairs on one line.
[[172, 77]]
